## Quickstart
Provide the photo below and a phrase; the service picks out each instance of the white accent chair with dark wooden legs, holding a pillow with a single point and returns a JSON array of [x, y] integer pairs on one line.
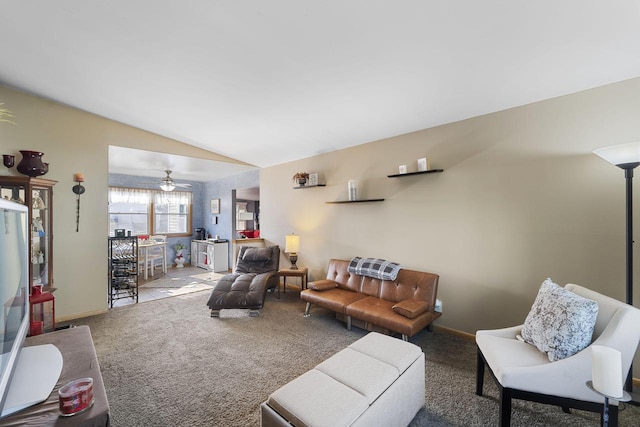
[[521, 371]]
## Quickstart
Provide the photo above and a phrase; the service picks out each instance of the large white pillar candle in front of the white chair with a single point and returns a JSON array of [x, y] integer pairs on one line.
[[607, 370]]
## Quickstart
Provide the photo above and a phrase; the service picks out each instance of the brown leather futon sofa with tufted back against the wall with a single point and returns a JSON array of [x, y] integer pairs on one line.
[[404, 305]]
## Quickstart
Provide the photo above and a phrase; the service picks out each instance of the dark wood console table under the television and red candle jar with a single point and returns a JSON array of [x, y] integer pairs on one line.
[[79, 361]]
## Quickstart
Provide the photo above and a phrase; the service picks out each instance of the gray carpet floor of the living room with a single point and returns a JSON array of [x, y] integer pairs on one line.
[[168, 363]]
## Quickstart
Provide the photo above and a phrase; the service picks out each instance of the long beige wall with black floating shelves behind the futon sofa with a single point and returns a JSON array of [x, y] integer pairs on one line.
[[521, 198]]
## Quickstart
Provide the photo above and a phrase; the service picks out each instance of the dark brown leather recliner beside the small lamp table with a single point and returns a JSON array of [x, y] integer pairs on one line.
[[255, 273]]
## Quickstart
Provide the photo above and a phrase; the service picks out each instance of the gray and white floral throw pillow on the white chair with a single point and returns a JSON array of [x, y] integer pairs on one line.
[[560, 322]]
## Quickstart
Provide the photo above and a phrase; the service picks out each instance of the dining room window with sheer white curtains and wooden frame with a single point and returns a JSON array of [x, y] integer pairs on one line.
[[146, 211]]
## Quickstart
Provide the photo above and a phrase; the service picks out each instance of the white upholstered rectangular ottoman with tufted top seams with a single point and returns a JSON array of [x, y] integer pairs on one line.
[[376, 381]]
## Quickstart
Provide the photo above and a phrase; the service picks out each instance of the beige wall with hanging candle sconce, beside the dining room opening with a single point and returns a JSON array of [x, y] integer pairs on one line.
[[76, 141]]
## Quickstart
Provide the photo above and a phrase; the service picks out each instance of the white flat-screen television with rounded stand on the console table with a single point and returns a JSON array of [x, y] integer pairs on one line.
[[26, 374]]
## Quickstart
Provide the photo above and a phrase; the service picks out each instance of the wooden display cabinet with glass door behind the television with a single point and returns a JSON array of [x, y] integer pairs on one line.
[[37, 194]]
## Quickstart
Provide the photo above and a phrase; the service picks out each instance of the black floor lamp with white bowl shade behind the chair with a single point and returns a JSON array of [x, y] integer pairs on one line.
[[627, 158]]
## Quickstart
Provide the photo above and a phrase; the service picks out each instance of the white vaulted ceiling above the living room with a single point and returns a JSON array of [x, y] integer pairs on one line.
[[267, 82]]
